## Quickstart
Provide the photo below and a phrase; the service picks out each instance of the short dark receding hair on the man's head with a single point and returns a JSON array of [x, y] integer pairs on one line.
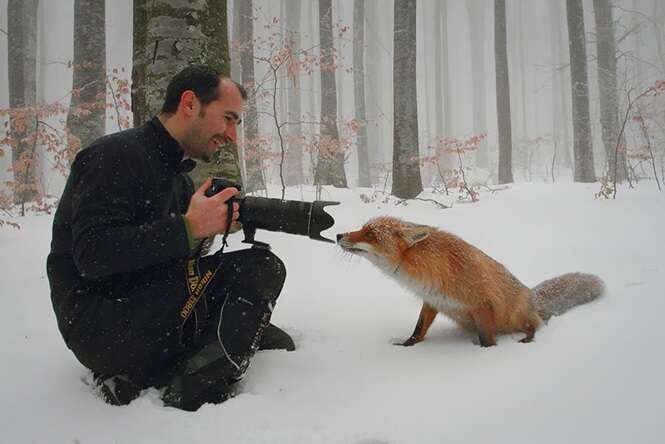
[[202, 79]]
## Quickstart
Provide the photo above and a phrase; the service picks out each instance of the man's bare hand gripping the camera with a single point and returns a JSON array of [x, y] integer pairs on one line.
[[208, 215]]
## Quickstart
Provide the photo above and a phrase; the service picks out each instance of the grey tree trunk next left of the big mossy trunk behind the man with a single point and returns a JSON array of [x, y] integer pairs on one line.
[[87, 118]]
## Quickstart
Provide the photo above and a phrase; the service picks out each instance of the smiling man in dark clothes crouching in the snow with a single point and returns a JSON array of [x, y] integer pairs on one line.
[[132, 302]]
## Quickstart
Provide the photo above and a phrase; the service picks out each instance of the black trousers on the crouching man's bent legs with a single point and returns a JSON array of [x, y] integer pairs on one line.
[[163, 330]]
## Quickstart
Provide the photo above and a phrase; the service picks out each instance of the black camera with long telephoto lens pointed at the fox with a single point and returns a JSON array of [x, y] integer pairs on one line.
[[288, 216]]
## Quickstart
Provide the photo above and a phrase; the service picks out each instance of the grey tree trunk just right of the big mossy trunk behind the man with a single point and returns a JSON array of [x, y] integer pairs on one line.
[[253, 163]]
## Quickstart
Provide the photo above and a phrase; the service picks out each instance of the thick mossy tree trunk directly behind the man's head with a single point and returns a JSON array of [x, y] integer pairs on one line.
[[168, 35]]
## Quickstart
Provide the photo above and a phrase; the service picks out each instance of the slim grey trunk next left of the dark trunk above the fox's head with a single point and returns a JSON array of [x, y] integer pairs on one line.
[[364, 179]]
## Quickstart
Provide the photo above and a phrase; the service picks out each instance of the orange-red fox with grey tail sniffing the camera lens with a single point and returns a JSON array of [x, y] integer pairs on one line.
[[455, 278]]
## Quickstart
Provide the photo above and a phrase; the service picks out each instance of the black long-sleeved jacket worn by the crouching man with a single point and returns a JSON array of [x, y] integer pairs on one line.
[[119, 216]]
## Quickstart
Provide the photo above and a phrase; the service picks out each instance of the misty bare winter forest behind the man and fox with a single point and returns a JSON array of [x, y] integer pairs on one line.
[[448, 96]]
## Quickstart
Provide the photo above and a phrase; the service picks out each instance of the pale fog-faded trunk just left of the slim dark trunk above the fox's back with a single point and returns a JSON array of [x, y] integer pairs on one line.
[[476, 10]]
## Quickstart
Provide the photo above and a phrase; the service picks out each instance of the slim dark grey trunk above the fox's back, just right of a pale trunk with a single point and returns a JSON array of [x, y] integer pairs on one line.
[[502, 93]]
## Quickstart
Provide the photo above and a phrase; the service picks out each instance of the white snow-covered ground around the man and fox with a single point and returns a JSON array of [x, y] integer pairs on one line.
[[592, 375]]
